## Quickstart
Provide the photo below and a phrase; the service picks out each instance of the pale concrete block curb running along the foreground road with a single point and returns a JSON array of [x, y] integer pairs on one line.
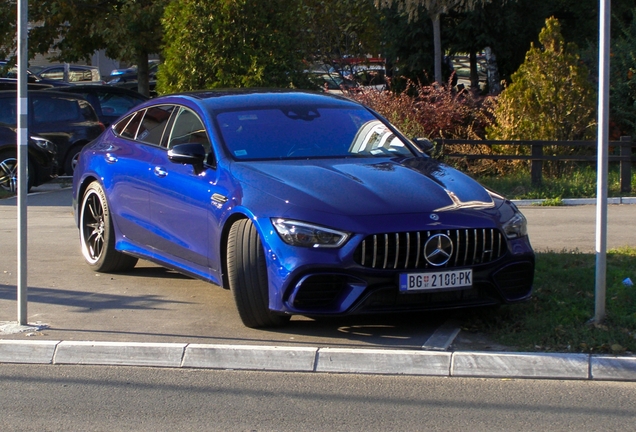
[[323, 360]]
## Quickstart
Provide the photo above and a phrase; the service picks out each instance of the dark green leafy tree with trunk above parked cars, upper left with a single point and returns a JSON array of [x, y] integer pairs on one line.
[[128, 30]]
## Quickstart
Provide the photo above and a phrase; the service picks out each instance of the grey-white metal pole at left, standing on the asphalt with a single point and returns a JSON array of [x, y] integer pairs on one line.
[[23, 137]]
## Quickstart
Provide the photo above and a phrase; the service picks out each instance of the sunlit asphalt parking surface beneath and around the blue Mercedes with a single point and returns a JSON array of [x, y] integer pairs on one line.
[[152, 304]]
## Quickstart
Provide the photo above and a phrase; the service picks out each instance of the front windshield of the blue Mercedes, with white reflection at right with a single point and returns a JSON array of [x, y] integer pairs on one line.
[[307, 132]]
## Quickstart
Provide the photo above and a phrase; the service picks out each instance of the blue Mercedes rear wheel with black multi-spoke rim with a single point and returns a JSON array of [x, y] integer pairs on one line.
[[97, 236]]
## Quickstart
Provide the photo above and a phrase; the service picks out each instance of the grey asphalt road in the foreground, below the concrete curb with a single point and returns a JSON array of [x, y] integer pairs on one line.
[[89, 398]]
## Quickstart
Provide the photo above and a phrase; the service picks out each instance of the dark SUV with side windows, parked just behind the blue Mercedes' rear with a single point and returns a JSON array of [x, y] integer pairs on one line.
[[64, 118]]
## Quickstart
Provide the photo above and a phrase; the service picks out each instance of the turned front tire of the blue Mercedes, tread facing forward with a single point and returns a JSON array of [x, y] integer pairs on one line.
[[247, 275]]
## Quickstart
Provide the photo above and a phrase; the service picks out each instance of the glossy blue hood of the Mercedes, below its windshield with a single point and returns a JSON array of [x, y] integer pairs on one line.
[[365, 186]]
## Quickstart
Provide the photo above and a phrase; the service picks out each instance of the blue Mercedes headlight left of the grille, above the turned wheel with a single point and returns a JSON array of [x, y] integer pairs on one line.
[[308, 235]]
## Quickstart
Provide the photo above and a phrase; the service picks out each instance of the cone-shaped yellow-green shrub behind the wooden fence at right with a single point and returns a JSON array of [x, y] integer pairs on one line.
[[550, 97]]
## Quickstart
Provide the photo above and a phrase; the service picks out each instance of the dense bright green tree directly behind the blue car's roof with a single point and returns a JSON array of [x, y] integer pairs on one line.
[[231, 43]]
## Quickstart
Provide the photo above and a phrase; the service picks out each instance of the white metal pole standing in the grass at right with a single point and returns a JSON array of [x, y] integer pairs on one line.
[[603, 147]]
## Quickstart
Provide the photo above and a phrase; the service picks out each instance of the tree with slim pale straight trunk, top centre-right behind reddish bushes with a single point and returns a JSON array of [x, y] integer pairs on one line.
[[434, 9]]
